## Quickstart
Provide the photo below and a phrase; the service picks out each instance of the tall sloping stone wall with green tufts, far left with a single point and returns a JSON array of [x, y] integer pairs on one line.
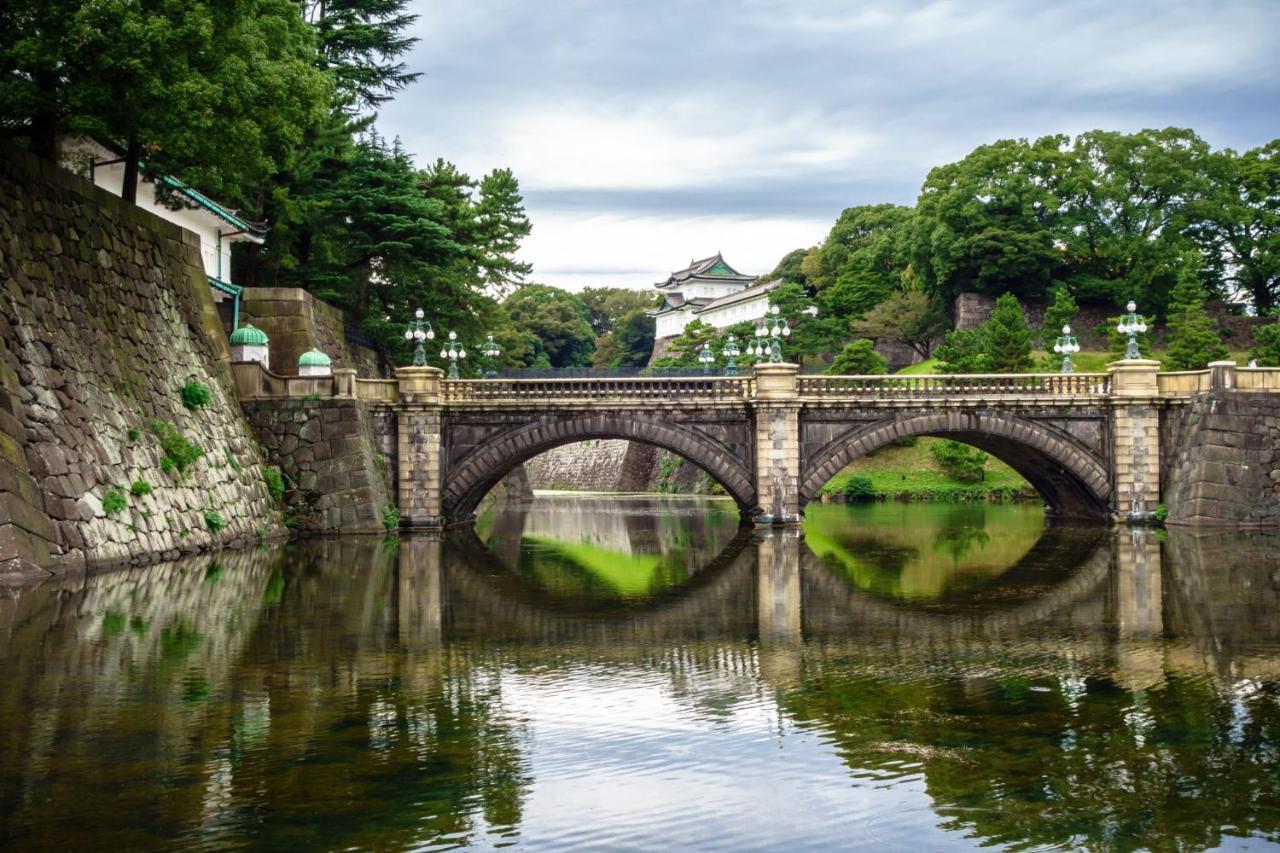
[[106, 314]]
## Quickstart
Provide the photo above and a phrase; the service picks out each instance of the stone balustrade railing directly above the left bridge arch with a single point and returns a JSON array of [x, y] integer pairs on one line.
[[601, 390]]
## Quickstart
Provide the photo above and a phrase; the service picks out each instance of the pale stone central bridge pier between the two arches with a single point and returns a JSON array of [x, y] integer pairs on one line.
[[778, 444]]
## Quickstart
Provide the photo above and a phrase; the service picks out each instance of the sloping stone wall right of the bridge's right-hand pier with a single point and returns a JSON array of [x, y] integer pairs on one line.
[[1228, 466]]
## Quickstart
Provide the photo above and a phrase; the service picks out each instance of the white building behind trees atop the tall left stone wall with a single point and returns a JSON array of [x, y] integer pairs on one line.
[[218, 227]]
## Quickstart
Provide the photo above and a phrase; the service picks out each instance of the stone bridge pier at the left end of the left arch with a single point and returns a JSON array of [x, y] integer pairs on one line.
[[419, 426]]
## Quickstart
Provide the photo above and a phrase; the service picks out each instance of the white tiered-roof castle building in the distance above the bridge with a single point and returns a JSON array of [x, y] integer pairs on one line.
[[711, 291]]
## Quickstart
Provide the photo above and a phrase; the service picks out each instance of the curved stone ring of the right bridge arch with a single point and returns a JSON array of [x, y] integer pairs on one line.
[[1072, 481]]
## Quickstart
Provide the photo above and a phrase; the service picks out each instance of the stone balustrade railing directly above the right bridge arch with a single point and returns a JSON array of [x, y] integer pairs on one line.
[[1071, 385]]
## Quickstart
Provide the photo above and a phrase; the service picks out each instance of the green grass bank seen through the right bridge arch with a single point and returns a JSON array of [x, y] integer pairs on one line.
[[912, 473]]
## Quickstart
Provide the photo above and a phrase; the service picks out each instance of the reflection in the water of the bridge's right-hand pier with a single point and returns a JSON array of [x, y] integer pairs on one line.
[[1140, 609]]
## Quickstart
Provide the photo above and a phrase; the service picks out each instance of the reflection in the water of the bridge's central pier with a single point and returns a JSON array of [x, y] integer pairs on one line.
[[778, 606]]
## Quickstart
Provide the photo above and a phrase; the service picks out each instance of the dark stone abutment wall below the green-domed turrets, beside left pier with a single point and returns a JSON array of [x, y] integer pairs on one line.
[[337, 477]]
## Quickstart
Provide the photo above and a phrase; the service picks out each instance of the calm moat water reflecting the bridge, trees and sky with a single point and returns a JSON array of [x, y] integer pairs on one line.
[[636, 673]]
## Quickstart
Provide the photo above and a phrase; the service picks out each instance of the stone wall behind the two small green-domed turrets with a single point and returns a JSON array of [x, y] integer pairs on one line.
[[296, 322]]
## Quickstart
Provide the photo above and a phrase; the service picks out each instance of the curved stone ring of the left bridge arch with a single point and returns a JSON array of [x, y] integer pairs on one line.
[[470, 478]]
